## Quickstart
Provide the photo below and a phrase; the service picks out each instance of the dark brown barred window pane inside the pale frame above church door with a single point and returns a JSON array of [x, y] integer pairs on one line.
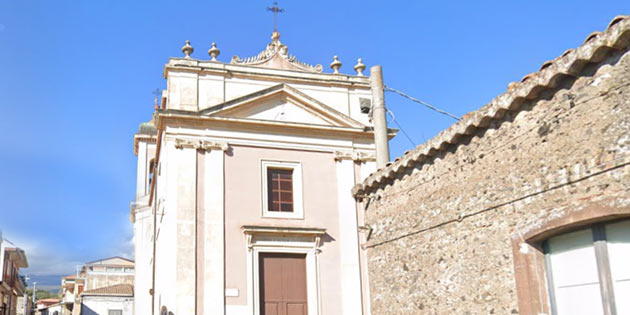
[[280, 189]]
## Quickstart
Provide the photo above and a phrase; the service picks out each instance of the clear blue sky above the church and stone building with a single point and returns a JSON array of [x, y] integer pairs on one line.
[[76, 79]]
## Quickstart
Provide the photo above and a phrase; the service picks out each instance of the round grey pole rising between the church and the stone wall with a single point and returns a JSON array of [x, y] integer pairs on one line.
[[378, 116]]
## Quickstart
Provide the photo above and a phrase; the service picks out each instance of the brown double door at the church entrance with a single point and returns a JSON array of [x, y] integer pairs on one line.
[[282, 284]]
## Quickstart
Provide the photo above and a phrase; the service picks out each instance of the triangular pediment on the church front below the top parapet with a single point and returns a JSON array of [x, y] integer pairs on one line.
[[282, 103]]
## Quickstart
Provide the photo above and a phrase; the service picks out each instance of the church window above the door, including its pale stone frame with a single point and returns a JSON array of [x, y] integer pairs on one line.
[[282, 190]]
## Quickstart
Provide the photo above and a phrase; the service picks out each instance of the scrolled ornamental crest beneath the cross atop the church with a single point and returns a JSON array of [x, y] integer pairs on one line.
[[276, 48]]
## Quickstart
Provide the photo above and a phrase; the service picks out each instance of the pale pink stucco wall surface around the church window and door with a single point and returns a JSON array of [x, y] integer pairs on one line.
[[243, 206]]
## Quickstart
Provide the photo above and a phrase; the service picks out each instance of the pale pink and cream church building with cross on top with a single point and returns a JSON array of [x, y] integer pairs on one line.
[[243, 201]]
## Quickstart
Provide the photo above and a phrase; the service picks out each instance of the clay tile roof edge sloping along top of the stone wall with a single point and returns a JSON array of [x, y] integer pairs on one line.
[[596, 48]]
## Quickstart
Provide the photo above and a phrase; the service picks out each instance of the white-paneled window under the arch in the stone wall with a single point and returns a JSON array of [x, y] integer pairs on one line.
[[587, 270]]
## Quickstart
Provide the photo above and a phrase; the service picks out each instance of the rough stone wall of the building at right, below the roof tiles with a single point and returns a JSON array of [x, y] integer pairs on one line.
[[442, 232]]
